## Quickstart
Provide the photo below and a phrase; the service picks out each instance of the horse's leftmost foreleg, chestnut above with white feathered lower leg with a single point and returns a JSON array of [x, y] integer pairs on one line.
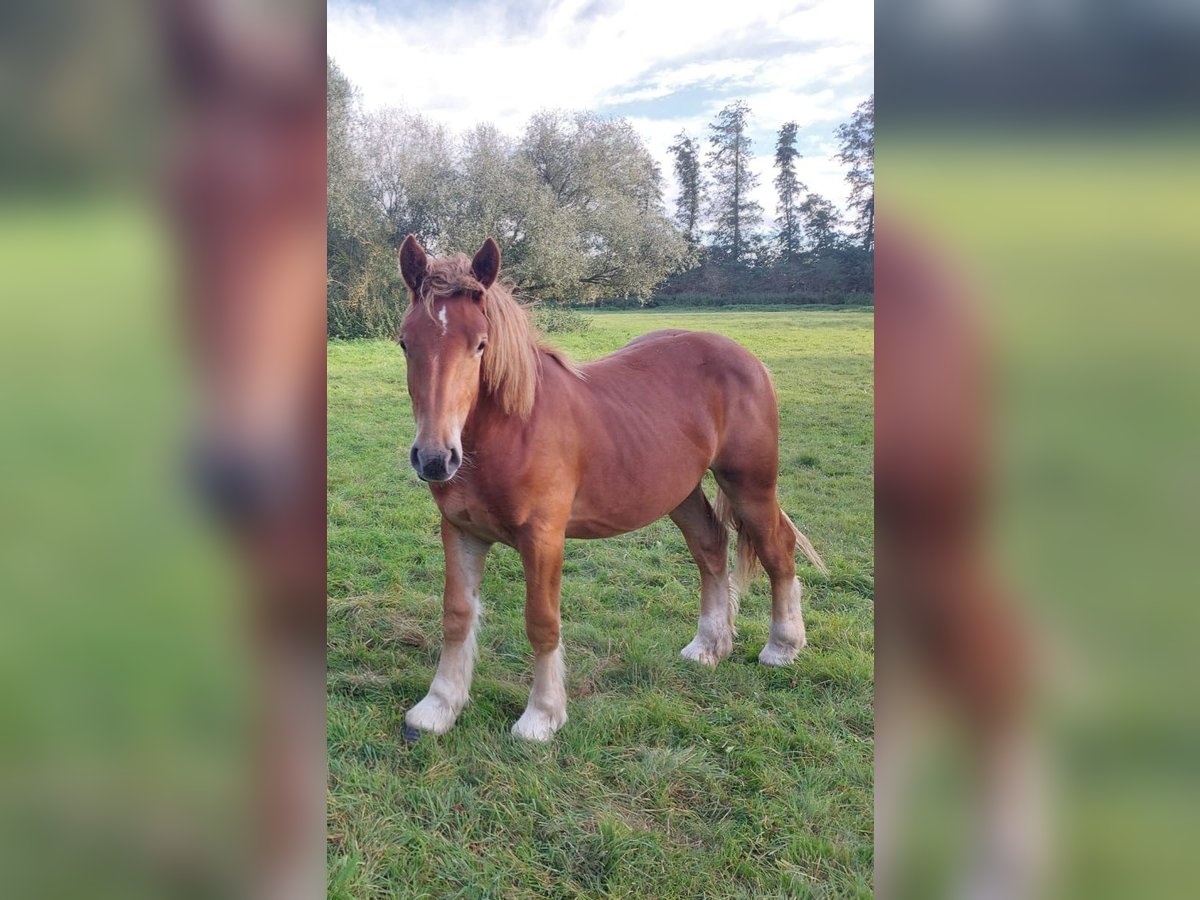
[[460, 616]]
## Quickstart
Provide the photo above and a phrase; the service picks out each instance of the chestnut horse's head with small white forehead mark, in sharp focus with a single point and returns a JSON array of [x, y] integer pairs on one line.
[[445, 337]]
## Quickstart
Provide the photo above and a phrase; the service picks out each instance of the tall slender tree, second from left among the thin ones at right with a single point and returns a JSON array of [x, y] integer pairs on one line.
[[734, 213]]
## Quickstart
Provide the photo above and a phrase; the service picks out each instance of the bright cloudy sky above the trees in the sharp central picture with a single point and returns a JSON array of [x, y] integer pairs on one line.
[[664, 65]]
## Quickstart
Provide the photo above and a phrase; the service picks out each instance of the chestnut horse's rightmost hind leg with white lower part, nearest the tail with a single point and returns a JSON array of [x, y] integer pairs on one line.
[[766, 532]]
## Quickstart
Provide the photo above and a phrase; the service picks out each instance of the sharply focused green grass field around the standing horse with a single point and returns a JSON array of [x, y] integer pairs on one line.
[[670, 779]]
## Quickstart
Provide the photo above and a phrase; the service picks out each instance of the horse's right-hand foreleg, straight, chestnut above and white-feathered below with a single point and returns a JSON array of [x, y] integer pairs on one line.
[[542, 555]]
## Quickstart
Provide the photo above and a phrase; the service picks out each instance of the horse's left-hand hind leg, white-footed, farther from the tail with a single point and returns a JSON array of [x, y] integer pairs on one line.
[[709, 543]]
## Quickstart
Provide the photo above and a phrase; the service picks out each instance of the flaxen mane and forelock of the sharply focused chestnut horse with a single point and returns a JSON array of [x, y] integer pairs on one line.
[[513, 357]]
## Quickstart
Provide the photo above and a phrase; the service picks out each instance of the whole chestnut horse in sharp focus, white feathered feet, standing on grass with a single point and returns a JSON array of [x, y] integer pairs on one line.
[[523, 447]]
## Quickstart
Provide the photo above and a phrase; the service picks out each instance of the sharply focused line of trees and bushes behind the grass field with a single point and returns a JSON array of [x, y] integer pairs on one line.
[[575, 202]]
